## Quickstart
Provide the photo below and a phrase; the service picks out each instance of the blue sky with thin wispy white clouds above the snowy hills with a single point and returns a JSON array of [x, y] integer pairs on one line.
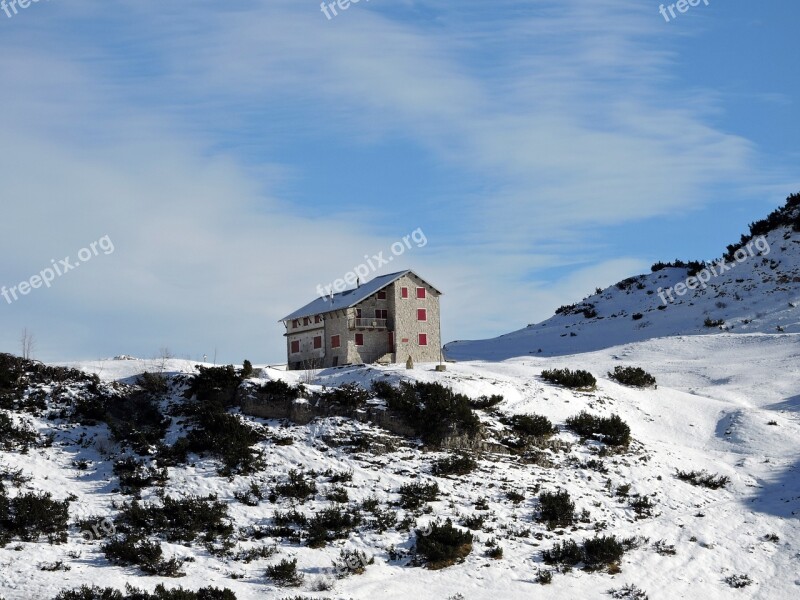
[[238, 154]]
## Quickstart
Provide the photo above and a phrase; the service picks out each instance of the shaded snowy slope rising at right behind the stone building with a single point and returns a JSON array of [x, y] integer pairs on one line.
[[757, 290]]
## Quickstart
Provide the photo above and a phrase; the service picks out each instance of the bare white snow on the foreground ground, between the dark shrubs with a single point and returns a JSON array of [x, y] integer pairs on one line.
[[715, 398]]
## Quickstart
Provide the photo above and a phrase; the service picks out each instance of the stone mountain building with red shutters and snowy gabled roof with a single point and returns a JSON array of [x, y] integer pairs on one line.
[[385, 320]]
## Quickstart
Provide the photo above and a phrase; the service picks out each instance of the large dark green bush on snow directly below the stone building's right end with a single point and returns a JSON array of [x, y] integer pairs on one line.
[[431, 409]]
